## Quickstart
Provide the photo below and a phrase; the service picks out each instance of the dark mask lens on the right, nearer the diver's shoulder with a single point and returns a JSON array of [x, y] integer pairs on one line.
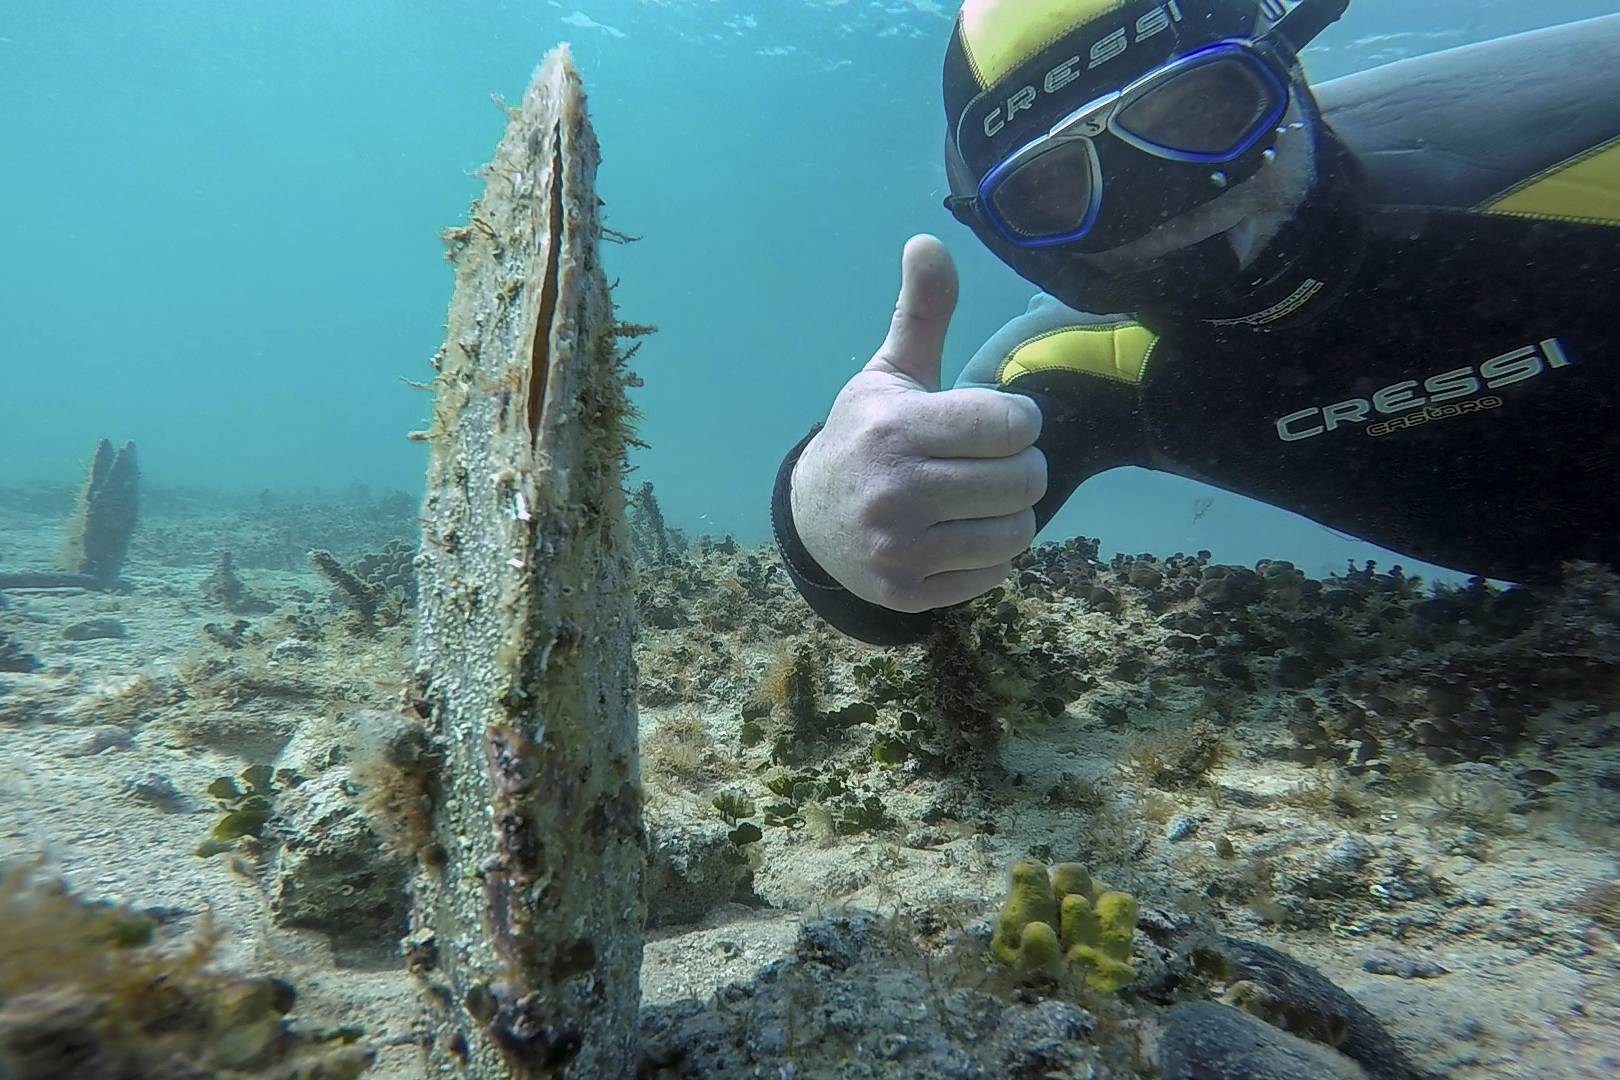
[[1208, 111]]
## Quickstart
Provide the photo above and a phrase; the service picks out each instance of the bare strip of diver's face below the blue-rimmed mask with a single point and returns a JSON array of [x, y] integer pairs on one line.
[[1251, 215]]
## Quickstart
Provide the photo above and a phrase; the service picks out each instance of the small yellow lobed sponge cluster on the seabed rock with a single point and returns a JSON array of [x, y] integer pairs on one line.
[[1060, 917]]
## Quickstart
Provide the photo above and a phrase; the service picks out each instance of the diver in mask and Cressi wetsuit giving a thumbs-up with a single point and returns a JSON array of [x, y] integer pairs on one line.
[[1381, 302]]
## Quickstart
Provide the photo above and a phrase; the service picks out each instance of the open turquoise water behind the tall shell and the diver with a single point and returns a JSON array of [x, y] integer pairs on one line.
[[221, 231]]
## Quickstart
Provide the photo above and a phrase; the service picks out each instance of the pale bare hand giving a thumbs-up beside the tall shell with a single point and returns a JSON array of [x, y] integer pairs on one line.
[[916, 498]]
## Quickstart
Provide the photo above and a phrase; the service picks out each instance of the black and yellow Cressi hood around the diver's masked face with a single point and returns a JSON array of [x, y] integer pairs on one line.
[[1002, 93]]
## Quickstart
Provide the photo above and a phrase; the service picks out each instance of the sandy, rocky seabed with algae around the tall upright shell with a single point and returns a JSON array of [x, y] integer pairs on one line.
[[1412, 793]]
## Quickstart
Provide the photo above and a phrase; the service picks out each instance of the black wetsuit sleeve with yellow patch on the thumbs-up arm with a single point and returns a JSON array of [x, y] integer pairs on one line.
[[1083, 372]]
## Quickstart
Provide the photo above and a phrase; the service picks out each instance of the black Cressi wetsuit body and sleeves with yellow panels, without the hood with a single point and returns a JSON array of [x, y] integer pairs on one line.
[[1444, 375]]
